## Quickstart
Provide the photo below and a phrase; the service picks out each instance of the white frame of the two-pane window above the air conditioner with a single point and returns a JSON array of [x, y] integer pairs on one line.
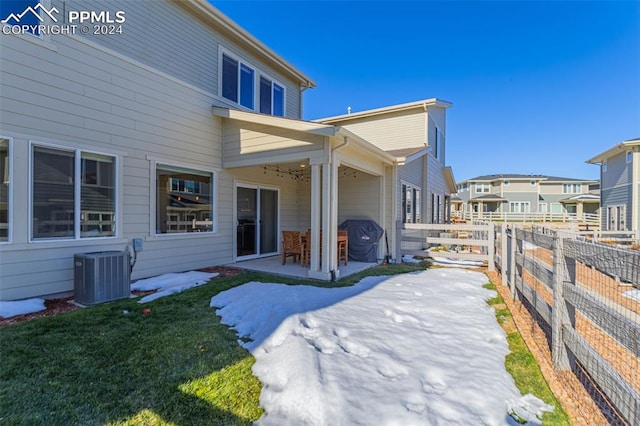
[[77, 192]]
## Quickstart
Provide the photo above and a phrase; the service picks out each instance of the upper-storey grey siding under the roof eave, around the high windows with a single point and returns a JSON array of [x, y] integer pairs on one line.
[[167, 37]]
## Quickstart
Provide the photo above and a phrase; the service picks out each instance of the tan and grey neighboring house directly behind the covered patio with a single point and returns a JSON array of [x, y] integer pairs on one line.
[[414, 134]]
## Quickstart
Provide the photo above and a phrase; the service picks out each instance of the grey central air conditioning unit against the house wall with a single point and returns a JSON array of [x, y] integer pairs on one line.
[[101, 277]]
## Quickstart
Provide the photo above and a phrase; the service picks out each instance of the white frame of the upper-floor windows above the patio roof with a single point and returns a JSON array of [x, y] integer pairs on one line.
[[257, 73]]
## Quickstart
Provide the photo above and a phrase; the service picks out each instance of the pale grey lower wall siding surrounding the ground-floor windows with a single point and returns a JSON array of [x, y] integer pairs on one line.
[[91, 100]]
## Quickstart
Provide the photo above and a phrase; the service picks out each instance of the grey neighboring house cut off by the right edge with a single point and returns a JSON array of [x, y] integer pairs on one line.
[[620, 186]]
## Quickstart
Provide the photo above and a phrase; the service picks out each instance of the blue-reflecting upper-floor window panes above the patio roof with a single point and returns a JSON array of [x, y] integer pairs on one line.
[[240, 82]]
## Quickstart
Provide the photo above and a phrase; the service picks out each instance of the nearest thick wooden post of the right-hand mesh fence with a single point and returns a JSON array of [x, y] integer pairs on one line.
[[563, 272]]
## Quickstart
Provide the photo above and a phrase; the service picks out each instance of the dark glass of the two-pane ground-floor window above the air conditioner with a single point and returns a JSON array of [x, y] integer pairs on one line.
[[73, 194]]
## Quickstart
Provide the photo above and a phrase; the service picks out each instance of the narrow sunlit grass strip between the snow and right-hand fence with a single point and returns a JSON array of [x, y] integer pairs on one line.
[[523, 367]]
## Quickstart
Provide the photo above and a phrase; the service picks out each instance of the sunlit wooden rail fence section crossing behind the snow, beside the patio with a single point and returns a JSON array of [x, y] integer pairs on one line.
[[473, 241]]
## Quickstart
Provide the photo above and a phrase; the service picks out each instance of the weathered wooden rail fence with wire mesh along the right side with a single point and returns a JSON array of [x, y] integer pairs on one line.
[[577, 291]]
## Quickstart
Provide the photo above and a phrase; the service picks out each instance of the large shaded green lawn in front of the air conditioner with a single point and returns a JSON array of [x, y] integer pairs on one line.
[[176, 366]]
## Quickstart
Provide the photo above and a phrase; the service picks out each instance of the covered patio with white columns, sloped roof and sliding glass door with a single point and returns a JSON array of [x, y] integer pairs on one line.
[[313, 176]]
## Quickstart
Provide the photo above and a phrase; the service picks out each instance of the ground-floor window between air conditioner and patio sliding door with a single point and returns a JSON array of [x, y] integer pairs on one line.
[[183, 200]]
